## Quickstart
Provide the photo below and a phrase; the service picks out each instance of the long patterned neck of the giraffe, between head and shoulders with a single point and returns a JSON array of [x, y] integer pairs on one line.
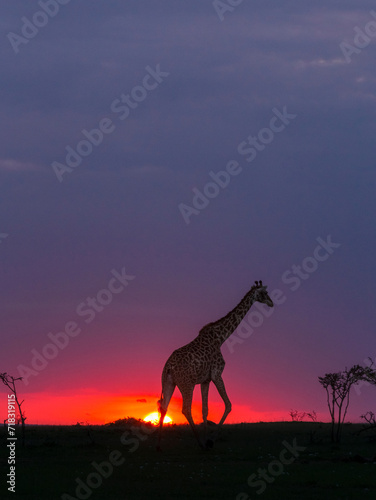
[[222, 329]]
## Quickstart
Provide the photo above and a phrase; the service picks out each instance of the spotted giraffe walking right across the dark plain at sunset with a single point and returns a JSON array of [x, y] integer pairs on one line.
[[201, 362]]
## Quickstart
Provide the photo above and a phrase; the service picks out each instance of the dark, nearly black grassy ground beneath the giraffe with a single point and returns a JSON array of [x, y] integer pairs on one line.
[[295, 459]]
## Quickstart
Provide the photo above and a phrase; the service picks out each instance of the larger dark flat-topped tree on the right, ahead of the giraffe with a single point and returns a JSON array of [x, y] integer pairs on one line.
[[338, 387]]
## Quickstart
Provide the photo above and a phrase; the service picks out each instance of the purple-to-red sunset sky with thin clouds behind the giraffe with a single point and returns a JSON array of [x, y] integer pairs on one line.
[[156, 159]]
